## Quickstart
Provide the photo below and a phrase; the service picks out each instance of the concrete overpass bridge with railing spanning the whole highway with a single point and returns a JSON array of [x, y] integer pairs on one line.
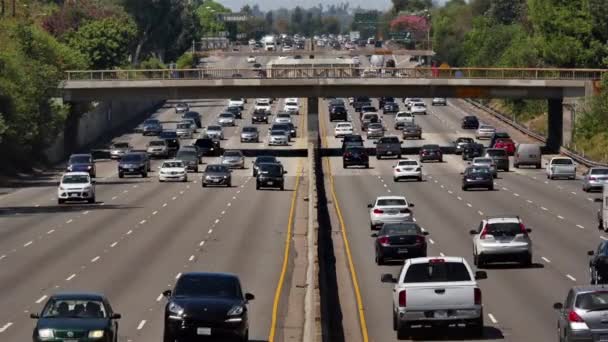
[[313, 82]]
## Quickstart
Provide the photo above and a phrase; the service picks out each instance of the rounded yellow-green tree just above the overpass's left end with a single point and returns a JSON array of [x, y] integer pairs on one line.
[[106, 42]]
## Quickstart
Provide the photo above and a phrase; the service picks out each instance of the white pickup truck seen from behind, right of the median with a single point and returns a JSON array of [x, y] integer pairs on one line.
[[437, 292]]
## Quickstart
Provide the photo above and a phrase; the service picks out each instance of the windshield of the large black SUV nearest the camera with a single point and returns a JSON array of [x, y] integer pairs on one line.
[[207, 286]]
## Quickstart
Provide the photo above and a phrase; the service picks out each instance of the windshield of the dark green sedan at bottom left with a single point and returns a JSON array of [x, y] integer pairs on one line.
[[74, 308]]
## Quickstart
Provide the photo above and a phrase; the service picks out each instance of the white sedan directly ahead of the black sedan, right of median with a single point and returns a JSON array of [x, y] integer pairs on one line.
[[389, 209]]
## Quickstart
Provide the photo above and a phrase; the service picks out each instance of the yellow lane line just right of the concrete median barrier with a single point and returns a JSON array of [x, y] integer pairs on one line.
[[351, 265]]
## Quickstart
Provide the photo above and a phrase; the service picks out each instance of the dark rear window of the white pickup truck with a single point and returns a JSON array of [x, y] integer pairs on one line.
[[436, 272]]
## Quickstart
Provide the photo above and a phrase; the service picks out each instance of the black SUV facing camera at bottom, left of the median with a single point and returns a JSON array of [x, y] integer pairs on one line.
[[207, 305]]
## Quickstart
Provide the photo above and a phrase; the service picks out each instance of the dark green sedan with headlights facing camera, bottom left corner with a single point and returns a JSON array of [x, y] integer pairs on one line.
[[76, 316]]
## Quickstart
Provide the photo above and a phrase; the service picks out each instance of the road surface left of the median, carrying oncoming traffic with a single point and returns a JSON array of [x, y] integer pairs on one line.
[[141, 235]]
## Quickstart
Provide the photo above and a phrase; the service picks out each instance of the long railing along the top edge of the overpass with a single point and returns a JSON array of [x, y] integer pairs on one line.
[[336, 72]]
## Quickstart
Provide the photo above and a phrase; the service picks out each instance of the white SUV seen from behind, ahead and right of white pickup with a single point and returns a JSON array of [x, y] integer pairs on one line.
[[502, 238]]
